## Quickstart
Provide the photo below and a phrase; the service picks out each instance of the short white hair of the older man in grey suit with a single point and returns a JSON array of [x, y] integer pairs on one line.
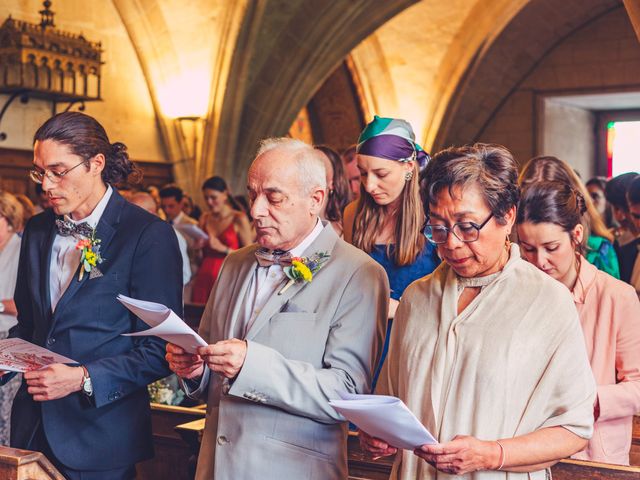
[[308, 161]]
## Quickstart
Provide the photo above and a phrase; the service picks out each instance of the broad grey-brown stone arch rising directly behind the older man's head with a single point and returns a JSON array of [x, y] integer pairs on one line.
[[270, 86]]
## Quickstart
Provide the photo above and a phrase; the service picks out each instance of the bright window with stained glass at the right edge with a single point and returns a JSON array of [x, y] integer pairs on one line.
[[623, 147]]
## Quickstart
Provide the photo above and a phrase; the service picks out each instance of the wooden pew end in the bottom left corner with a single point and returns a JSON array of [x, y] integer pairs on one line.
[[18, 464]]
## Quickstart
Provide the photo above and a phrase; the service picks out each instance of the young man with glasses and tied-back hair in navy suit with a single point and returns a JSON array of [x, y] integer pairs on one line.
[[91, 419]]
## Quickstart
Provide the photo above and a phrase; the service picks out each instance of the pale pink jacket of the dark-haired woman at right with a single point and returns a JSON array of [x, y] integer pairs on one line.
[[610, 315]]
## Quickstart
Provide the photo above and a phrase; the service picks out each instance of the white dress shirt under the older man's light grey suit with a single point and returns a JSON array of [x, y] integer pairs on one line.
[[266, 280]]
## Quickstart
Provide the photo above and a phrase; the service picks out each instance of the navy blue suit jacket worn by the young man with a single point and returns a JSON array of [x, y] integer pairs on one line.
[[141, 260]]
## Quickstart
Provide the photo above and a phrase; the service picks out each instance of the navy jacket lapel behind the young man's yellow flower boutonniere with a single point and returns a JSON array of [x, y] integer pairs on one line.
[[104, 231]]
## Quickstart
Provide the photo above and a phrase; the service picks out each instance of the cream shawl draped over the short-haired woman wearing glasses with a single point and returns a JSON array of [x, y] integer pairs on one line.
[[512, 362]]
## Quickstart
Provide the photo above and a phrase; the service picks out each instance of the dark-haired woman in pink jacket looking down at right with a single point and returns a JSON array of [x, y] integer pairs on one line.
[[551, 233]]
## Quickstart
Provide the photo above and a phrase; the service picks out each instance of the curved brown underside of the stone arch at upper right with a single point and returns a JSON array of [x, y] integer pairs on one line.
[[505, 62]]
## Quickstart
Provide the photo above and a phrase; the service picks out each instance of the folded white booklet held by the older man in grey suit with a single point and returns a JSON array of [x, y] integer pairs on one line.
[[164, 323]]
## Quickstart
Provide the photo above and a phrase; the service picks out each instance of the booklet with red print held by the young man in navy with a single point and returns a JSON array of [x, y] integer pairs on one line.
[[17, 355]]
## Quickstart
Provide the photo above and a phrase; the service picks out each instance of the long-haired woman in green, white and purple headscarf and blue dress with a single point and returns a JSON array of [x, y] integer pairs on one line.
[[387, 218]]
